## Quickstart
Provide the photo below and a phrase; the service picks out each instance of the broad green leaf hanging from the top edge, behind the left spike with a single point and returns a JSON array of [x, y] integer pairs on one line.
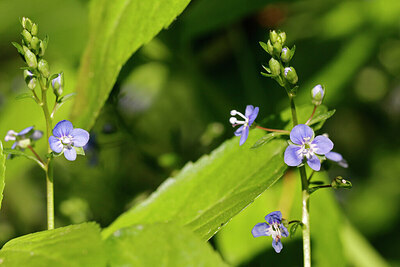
[[117, 30]]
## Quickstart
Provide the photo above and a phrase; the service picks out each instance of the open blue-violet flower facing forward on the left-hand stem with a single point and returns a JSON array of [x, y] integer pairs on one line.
[[65, 138]]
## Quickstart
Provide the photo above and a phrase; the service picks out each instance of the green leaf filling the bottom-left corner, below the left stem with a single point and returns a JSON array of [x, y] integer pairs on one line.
[[75, 245]]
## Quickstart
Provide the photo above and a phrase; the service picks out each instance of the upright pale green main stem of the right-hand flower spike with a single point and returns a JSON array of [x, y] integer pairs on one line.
[[305, 218]]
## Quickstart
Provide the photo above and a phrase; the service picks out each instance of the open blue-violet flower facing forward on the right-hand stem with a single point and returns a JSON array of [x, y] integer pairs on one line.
[[305, 146]]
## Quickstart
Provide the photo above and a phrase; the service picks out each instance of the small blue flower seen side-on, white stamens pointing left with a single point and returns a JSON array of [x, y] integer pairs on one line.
[[249, 117]]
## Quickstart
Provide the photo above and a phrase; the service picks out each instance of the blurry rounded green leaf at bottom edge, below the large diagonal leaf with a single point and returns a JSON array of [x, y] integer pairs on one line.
[[160, 245]]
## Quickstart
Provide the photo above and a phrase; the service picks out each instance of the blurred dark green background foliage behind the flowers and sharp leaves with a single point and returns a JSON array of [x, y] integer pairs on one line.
[[172, 99]]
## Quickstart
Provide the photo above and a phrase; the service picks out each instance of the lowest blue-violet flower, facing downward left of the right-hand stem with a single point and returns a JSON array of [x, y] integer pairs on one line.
[[273, 228]]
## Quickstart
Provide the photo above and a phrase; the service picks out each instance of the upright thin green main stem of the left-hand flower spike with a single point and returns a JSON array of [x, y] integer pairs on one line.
[[49, 169]]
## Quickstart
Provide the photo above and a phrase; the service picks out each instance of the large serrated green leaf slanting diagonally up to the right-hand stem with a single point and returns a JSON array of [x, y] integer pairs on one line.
[[207, 194]]
